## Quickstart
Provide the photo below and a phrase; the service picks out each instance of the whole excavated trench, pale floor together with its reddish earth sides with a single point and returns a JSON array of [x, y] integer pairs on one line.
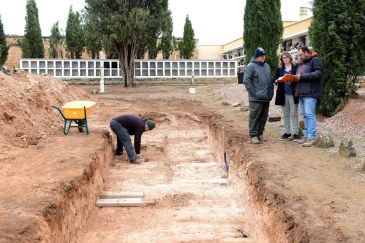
[[187, 200]]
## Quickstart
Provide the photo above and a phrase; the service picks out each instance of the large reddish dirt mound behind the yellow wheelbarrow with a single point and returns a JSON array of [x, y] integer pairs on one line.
[[26, 113]]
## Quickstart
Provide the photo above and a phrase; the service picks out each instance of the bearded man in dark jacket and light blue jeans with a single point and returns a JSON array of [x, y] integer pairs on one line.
[[309, 91]]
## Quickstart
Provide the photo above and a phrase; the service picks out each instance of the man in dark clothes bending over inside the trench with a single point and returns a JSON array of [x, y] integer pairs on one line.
[[126, 125]]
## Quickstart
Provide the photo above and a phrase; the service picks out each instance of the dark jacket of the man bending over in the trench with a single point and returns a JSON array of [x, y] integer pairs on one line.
[[135, 126]]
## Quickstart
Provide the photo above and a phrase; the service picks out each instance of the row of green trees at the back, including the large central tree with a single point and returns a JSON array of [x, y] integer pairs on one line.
[[121, 28]]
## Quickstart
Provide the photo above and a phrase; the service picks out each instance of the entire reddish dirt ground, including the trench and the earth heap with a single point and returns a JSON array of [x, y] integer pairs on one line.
[[276, 192]]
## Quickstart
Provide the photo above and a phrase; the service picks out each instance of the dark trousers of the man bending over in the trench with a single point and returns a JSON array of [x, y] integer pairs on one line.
[[123, 139]]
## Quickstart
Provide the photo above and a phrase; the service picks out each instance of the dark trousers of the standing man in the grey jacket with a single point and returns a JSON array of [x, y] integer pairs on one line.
[[259, 112]]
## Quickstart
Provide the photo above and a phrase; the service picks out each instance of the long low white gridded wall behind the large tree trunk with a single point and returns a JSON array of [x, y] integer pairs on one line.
[[80, 68]]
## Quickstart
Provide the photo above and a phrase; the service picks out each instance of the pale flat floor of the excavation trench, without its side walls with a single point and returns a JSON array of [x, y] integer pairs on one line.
[[187, 198]]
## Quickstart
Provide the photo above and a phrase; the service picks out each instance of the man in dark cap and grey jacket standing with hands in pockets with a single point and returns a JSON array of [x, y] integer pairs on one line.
[[260, 88]]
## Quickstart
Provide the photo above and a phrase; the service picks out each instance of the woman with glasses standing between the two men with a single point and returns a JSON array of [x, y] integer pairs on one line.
[[285, 97]]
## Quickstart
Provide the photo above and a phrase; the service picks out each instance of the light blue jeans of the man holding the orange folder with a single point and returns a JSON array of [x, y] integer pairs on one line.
[[308, 110]]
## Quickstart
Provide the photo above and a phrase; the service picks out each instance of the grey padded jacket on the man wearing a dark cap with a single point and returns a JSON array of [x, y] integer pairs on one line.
[[258, 81]]
